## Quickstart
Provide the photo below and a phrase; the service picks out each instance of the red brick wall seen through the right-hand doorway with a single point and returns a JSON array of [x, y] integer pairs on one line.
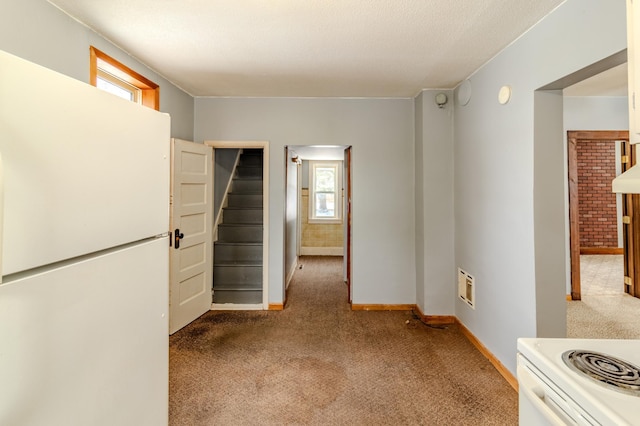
[[598, 215]]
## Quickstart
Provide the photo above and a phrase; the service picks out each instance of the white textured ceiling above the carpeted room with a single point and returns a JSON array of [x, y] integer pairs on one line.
[[346, 48]]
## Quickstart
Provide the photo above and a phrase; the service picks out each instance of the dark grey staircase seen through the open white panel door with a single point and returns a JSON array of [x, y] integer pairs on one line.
[[237, 261]]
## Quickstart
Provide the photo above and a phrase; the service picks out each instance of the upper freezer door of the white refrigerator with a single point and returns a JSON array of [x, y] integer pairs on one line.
[[83, 170]]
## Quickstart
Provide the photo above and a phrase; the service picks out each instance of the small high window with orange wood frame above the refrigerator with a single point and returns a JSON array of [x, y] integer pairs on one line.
[[110, 75]]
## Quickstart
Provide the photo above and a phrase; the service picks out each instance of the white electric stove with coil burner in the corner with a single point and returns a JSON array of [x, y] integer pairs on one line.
[[558, 384]]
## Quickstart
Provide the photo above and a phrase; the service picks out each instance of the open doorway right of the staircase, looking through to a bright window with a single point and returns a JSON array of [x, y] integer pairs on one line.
[[306, 234]]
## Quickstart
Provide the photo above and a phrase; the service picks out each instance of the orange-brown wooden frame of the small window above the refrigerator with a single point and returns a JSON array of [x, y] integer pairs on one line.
[[101, 63]]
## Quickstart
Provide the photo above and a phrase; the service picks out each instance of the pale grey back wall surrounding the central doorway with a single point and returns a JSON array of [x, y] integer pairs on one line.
[[381, 132]]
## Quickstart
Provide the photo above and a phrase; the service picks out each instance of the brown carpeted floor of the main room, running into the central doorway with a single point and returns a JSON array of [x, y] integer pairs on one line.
[[317, 362]]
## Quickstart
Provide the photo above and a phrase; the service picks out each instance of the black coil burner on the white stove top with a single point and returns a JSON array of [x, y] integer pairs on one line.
[[605, 369]]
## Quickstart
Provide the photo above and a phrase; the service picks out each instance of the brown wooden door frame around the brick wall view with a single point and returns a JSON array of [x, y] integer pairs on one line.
[[574, 215]]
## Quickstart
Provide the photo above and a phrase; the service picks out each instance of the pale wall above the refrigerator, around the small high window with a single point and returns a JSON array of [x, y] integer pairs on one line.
[[39, 32]]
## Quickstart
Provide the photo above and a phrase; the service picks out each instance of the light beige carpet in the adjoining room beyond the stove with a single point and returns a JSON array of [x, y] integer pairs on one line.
[[605, 311]]
